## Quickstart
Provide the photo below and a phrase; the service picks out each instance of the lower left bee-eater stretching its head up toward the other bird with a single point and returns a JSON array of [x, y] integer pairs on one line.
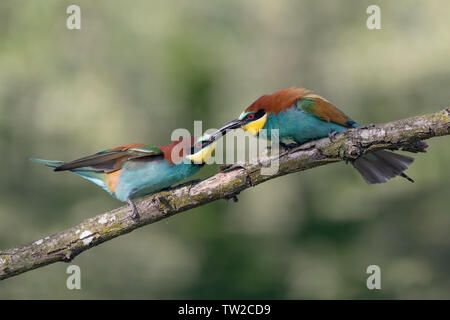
[[135, 170]]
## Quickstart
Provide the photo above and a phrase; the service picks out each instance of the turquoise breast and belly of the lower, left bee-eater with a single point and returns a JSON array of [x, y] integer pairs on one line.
[[140, 178]]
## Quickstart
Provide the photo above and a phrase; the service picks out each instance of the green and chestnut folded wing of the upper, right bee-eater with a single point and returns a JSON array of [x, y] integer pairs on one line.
[[324, 110]]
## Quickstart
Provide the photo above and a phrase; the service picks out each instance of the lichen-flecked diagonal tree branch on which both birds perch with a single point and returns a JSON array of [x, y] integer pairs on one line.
[[64, 246]]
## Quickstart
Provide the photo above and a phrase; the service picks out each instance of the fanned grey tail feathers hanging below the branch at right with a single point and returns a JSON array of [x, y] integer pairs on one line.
[[380, 166]]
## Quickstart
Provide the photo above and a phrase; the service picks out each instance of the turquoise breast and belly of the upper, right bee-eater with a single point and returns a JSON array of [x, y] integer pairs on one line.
[[299, 126]]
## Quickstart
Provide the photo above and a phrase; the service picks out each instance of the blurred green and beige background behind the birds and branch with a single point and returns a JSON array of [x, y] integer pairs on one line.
[[137, 70]]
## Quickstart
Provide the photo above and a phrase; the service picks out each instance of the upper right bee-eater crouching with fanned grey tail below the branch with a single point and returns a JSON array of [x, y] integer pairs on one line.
[[300, 116]]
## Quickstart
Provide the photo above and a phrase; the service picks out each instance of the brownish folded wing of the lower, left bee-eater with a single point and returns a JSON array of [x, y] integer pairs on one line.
[[111, 160]]
